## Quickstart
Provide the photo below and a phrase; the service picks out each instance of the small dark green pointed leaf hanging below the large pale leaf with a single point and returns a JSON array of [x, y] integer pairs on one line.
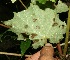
[[24, 46]]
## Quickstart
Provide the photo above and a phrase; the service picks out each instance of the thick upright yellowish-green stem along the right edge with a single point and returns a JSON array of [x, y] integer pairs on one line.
[[67, 34]]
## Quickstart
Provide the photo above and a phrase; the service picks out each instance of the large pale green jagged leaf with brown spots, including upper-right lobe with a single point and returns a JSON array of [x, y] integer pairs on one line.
[[39, 27]]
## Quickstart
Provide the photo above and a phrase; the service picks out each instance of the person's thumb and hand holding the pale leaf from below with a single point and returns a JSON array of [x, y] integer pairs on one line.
[[46, 53]]
